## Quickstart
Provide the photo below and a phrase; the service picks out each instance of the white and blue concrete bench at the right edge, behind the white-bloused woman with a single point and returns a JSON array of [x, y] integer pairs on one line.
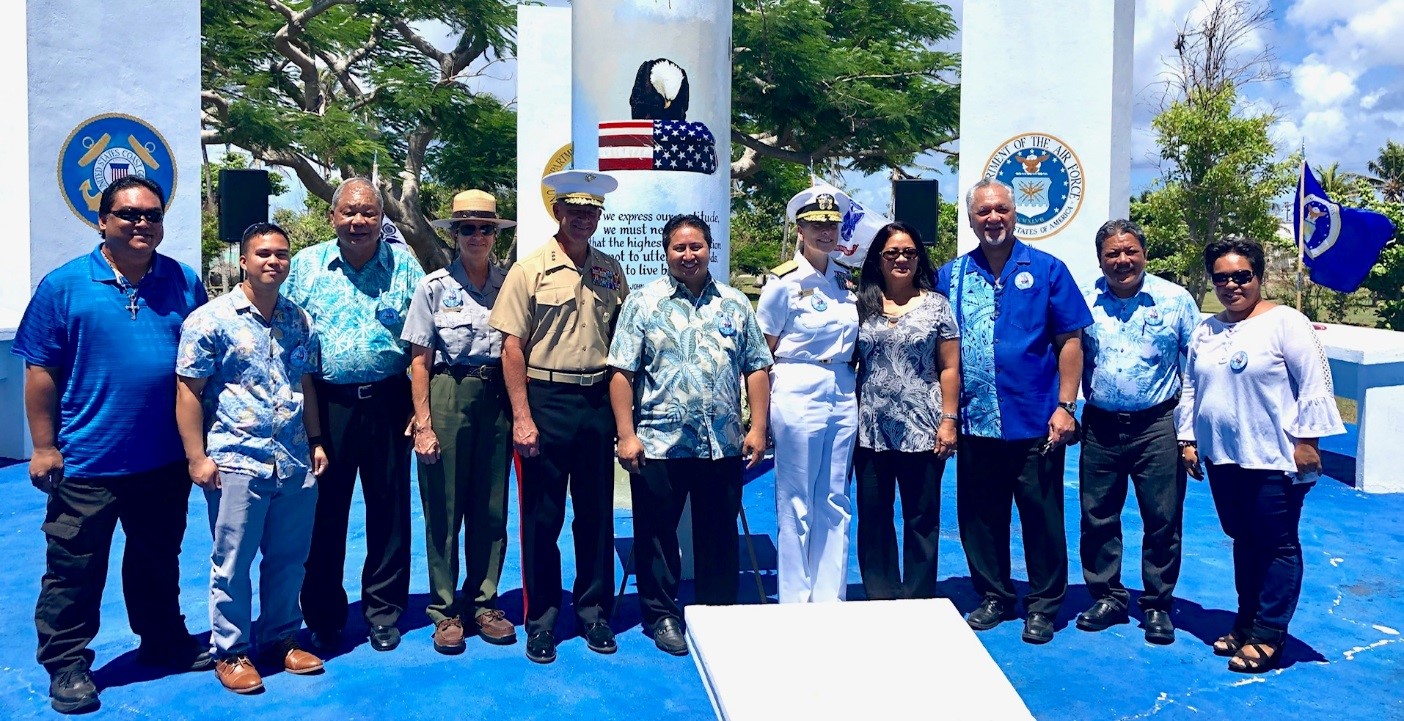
[[1368, 367]]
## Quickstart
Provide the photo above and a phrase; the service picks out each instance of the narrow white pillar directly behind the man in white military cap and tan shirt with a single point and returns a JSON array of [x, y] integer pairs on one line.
[[543, 117]]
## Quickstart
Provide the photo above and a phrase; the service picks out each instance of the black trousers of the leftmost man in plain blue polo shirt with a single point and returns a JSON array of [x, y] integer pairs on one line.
[[78, 525]]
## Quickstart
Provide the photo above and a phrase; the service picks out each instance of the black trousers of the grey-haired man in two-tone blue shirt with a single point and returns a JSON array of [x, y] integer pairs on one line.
[[991, 473]]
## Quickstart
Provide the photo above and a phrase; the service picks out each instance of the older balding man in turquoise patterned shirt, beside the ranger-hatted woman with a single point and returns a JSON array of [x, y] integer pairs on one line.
[[357, 291]]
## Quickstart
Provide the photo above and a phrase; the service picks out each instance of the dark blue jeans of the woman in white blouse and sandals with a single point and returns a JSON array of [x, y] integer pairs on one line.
[[1260, 510]]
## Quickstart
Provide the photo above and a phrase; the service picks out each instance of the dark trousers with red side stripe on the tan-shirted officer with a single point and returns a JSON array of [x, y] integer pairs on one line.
[[576, 430]]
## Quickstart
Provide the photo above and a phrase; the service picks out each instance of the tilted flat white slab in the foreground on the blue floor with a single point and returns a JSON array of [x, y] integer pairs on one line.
[[859, 660]]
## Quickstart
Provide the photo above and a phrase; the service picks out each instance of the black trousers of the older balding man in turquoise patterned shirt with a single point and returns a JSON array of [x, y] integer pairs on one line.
[[367, 438]]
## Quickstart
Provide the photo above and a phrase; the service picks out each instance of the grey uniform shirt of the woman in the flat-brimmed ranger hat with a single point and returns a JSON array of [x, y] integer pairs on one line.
[[449, 314]]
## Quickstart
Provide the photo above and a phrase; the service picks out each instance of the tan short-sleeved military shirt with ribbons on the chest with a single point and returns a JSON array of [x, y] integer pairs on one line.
[[564, 315]]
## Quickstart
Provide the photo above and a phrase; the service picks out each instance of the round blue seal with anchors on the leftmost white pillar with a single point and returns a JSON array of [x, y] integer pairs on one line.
[[106, 148]]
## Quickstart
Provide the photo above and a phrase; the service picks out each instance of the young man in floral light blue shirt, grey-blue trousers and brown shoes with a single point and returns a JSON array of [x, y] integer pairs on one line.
[[245, 367]]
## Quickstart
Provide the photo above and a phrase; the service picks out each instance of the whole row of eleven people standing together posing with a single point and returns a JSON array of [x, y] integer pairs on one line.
[[349, 363]]
